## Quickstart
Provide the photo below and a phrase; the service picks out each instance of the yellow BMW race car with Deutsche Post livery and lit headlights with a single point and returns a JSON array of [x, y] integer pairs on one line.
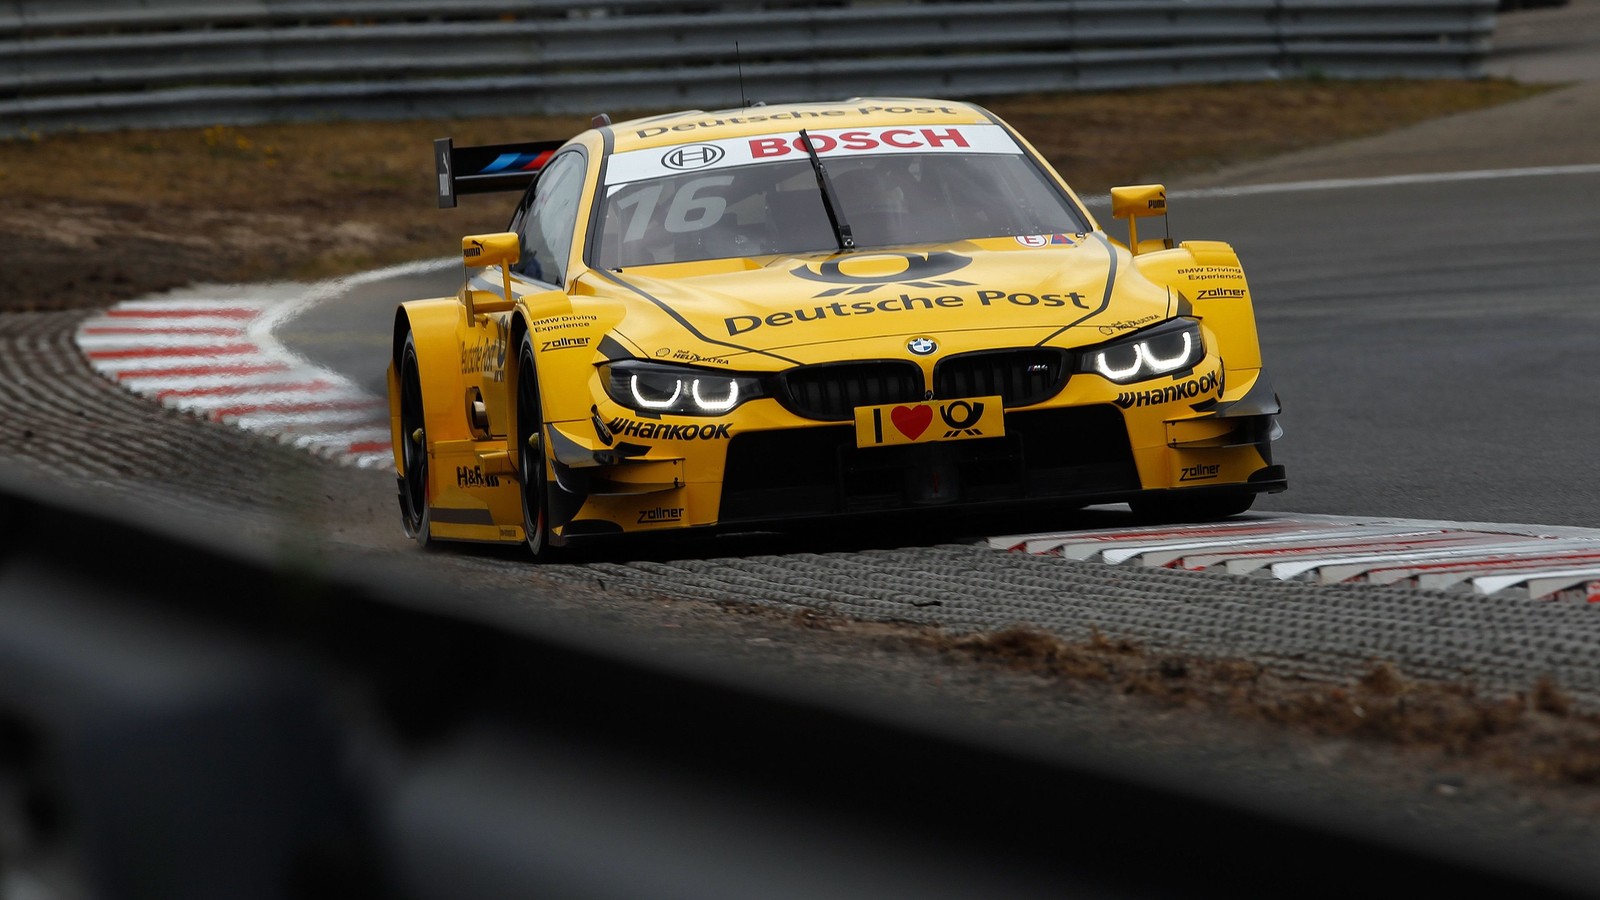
[[780, 315]]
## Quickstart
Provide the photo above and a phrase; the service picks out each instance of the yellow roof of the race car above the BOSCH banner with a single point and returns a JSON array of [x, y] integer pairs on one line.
[[786, 119]]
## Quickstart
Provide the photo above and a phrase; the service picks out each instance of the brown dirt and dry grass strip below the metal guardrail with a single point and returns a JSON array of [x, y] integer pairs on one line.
[[89, 220]]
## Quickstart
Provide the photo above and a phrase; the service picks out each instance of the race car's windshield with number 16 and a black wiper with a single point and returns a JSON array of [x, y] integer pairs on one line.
[[750, 207]]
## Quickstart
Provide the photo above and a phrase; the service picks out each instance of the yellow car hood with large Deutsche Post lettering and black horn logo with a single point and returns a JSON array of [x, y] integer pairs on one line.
[[1004, 292]]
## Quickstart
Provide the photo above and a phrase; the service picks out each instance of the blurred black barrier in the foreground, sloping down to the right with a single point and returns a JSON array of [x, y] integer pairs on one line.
[[188, 720]]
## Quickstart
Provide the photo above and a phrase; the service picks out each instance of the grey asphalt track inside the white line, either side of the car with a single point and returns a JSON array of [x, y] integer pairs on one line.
[[1431, 340]]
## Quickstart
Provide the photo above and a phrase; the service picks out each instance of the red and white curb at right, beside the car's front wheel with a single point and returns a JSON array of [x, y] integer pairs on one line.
[[1516, 561]]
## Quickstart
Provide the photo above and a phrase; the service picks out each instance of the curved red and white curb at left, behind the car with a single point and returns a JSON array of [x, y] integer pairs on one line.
[[212, 353]]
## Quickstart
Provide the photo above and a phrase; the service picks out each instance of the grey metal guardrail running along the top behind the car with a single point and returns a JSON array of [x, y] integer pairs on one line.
[[103, 65]]
